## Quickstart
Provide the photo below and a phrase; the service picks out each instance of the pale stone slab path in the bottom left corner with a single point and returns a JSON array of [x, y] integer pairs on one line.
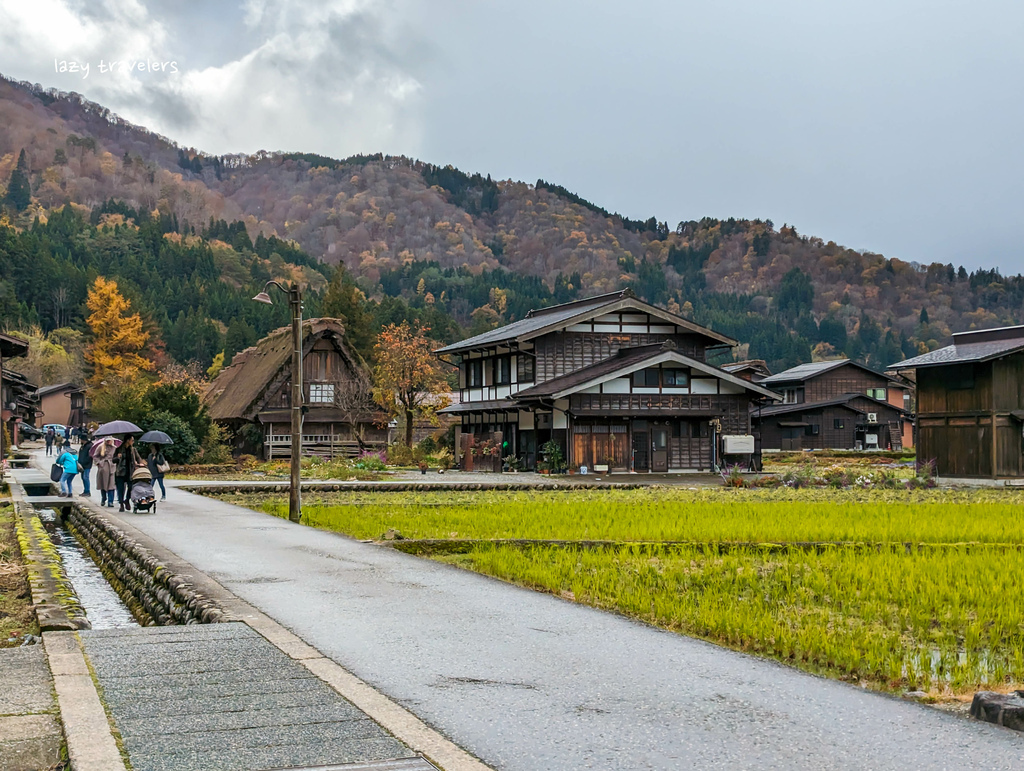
[[30, 731]]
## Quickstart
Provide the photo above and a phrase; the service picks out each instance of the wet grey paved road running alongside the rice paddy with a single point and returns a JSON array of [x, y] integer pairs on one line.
[[529, 682]]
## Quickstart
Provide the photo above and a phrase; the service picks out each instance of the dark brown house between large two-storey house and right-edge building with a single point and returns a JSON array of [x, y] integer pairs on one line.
[[838, 405]]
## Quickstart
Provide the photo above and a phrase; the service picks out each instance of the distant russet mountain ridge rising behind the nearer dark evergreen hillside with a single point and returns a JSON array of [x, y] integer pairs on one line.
[[406, 229]]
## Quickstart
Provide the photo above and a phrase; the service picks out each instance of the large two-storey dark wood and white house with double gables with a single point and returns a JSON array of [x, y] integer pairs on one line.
[[616, 382]]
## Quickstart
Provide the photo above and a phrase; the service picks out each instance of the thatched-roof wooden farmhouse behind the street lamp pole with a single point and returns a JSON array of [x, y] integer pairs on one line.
[[339, 417]]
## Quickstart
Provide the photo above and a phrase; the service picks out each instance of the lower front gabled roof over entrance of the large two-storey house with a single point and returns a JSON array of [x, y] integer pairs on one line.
[[625, 363]]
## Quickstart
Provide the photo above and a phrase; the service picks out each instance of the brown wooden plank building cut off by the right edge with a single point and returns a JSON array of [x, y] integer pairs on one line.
[[971, 405]]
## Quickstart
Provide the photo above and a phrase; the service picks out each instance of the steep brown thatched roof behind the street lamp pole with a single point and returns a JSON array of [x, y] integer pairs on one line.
[[241, 391]]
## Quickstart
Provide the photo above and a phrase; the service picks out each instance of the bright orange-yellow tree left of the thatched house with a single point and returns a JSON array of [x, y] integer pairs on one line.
[[118, 336]]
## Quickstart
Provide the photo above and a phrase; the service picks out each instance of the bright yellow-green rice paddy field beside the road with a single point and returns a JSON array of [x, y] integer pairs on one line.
[[900, 591]]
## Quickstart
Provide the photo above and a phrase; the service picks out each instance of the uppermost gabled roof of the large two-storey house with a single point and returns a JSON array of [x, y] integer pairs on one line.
[[541, 321]]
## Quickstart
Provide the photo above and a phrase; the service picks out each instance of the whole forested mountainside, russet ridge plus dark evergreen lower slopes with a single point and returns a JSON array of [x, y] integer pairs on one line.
[[190, 236]]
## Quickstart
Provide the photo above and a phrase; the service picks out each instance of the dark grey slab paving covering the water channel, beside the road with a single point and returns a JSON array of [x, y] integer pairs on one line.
[[222, 697]]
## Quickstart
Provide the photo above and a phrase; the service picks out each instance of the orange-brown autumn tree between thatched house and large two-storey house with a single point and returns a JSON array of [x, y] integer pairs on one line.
[[409, 381]]
